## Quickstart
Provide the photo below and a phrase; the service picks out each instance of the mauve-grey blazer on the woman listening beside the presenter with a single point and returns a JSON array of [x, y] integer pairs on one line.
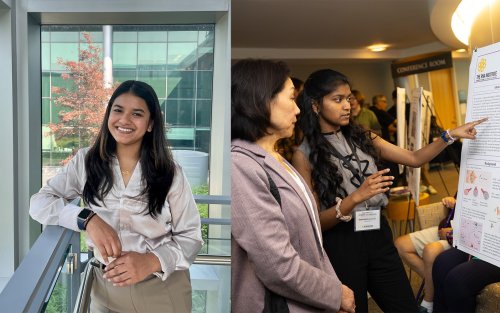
[[275, 246]]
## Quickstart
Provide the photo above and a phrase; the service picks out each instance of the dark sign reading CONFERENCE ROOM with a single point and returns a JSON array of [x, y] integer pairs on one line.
[[422, 65]]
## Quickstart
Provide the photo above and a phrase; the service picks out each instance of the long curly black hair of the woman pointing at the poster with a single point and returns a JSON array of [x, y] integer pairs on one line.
[[327, 180]]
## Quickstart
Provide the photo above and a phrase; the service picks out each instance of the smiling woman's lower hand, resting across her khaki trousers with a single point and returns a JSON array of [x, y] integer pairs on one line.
[[131, 268]]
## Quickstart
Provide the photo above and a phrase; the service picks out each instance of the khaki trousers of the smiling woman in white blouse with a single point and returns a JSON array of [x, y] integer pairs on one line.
[[148, 296]]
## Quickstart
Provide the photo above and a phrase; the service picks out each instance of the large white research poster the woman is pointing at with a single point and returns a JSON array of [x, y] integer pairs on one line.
[[476, 226]]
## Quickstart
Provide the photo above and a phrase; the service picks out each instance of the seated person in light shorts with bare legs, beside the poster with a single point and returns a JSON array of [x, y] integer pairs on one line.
[[419, 250]]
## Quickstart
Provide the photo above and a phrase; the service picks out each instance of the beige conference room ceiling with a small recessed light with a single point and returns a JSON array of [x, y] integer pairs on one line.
[[316, 30]]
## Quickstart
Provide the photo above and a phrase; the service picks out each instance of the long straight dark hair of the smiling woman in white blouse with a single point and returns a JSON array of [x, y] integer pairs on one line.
[[157, 164]]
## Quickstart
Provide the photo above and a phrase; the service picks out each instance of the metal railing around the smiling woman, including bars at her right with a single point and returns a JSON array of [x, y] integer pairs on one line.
[[57, 251]]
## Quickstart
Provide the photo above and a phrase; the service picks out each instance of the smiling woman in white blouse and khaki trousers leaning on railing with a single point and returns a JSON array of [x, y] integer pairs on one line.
[[140, 216]]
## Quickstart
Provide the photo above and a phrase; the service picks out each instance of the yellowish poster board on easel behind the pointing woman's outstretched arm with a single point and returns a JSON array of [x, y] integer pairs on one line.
[[421, 108]]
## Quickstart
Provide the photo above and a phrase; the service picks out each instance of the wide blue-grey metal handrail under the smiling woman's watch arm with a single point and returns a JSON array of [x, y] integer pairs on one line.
[[27, 289]]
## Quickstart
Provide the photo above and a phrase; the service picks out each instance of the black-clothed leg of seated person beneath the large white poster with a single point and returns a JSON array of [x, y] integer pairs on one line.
[[458, 279]]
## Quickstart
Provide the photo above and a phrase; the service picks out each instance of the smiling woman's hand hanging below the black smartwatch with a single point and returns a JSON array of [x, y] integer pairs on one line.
[[104, 238]]
